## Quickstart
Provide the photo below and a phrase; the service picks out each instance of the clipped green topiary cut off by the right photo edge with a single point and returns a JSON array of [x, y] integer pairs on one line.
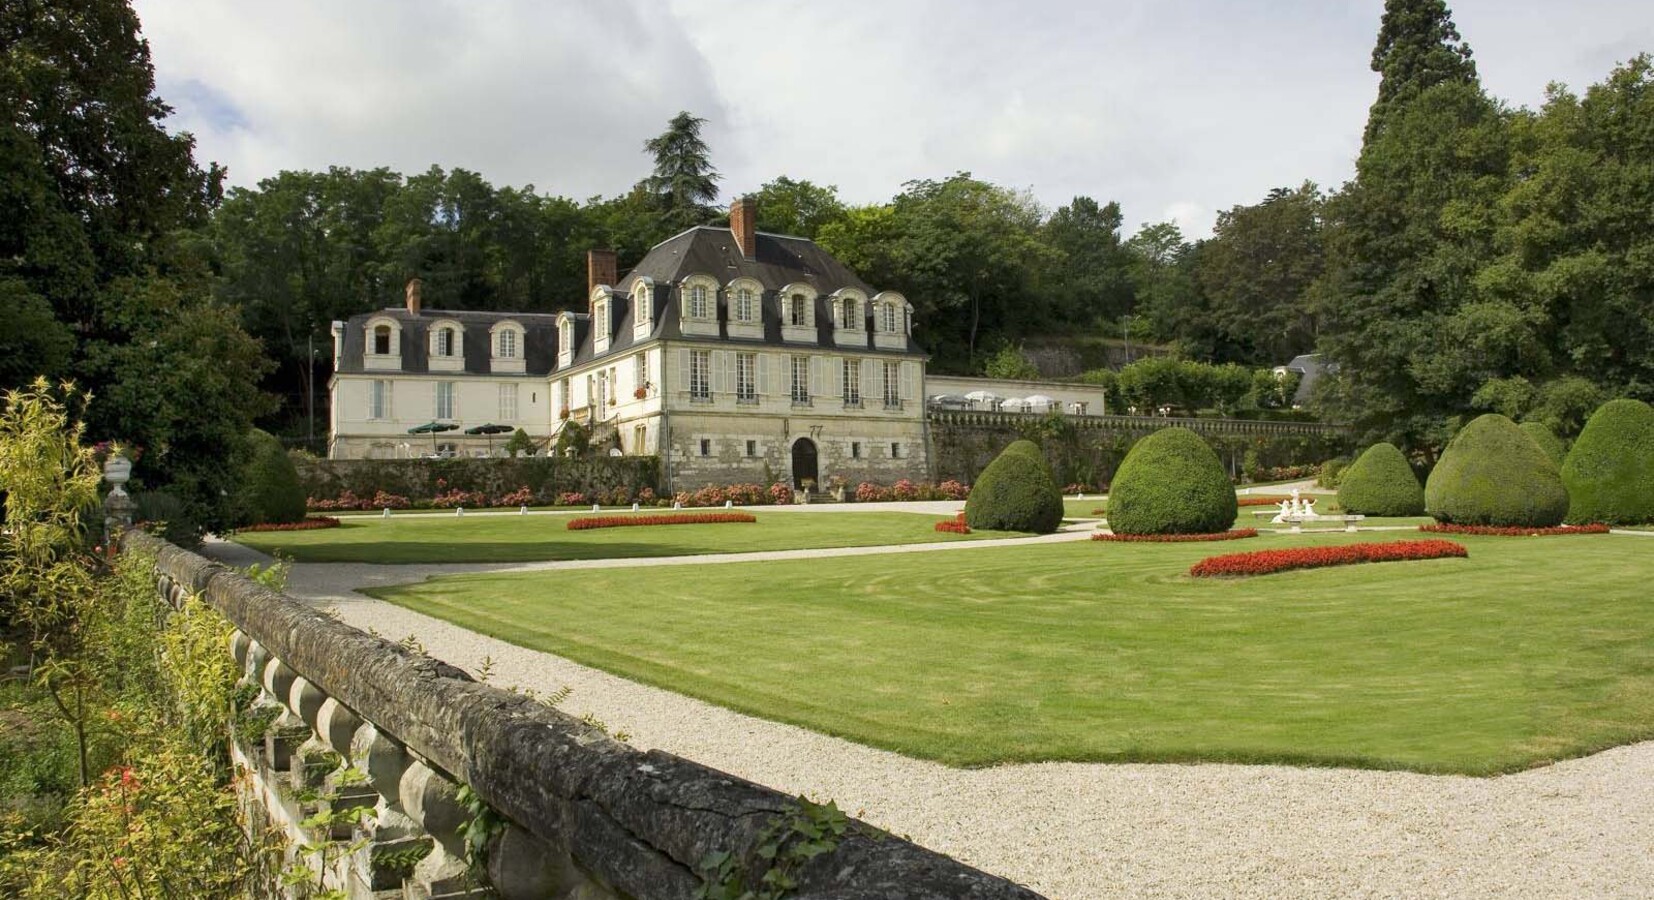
[[1610, 472]]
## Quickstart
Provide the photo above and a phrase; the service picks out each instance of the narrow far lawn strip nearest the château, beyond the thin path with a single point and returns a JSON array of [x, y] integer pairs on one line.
[[533, 539]]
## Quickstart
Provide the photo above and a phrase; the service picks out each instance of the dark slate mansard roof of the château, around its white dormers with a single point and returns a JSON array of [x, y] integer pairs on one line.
[[778, 262]]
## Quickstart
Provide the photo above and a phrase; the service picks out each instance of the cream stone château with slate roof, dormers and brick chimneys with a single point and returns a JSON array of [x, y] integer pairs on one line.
[[734, 355]]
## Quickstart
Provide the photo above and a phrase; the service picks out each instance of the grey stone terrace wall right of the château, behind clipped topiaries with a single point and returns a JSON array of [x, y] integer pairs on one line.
[[1089, 449]]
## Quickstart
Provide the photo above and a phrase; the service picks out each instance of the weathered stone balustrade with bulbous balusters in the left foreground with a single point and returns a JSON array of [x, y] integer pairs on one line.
[[586, 816]]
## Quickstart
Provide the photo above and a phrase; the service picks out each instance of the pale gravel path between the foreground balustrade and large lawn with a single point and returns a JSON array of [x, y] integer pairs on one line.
[[1079, 831]]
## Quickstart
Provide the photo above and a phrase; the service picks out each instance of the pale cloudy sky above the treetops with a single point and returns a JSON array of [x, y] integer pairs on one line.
[[1175, 108]]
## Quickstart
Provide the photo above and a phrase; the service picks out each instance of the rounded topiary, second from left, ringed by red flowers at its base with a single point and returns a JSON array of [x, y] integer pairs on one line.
[[1172, 484]]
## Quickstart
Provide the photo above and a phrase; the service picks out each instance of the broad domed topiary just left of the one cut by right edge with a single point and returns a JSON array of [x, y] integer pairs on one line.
[[1493, 474]]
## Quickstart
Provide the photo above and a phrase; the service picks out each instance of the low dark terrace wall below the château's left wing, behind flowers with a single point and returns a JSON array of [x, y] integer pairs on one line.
[[419, 479]]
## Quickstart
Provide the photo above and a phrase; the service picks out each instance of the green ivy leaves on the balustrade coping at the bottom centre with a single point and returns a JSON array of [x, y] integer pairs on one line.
[[805, 831]]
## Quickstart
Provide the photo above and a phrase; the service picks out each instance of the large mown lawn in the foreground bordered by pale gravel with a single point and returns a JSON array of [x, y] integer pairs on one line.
[[1532, 651]]
